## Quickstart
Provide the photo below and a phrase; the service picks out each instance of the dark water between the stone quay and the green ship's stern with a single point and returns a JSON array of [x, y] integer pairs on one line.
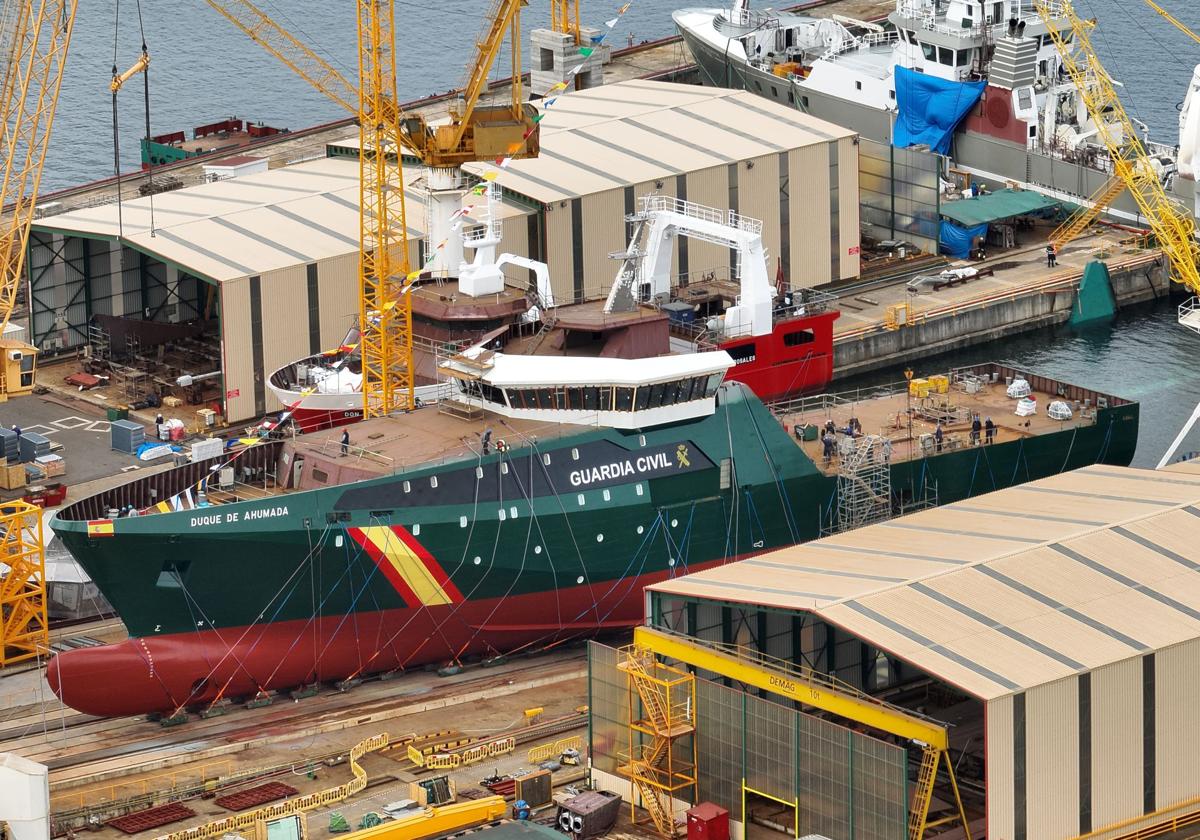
[[1144, 355]]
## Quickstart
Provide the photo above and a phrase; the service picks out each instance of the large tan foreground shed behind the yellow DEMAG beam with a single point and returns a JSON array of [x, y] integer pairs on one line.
[[1054, 626]]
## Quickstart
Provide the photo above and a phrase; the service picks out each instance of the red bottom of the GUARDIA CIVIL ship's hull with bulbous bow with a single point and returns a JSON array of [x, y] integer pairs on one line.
[[166, 674]]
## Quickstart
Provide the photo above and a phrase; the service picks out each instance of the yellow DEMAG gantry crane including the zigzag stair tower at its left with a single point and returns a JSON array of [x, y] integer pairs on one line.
[[664, 692]]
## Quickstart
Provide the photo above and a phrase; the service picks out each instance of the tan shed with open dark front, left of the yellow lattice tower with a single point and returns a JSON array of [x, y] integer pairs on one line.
[[269, 262]]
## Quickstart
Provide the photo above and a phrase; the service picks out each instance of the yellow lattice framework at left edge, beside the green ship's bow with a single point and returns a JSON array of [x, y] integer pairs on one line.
[[25, 631]]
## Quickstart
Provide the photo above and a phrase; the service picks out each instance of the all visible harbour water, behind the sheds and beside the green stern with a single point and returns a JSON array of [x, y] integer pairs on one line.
[[205, 70]]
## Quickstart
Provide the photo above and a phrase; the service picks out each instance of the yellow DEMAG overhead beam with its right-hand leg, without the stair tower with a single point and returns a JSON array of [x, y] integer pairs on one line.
[[823, 693]]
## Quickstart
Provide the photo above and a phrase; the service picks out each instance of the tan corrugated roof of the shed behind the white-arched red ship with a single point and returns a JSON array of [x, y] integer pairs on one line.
[[638, 131]]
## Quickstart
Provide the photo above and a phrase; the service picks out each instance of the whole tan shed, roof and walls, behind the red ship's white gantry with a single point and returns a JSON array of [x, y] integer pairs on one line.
[[605, 148]]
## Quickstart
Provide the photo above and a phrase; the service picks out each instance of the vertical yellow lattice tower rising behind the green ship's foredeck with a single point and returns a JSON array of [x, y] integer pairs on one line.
[[386, 310]]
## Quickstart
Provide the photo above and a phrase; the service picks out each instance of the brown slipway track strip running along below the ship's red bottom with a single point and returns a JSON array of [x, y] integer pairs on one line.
[[85, 751]]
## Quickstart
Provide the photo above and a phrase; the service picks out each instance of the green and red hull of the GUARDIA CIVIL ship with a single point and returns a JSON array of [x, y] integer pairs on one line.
[[369, 578]]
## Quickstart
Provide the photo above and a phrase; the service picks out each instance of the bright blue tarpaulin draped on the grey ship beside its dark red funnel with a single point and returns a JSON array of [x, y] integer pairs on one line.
[[931, 109]]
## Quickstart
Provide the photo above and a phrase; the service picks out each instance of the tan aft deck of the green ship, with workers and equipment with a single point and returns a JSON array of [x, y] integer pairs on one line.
[[886, 412]]
